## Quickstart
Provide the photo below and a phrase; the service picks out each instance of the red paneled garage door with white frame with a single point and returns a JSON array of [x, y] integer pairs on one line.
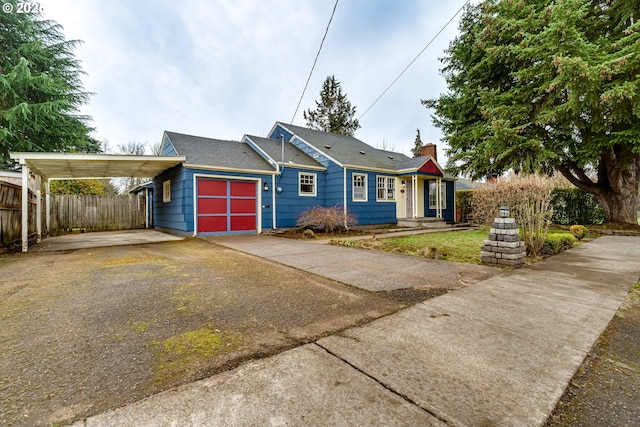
[[226, 206]]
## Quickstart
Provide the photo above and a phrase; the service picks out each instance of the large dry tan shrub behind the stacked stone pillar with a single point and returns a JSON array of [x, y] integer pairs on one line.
[[528, 199]]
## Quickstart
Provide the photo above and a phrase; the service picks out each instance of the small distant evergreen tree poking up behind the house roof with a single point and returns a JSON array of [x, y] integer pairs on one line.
[[333, 112]]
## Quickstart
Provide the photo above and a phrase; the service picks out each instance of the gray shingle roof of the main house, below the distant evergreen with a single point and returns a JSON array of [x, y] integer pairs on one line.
[[347, 149]]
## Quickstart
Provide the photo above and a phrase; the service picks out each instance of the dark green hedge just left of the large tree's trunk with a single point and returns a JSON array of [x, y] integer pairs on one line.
[[575, 206]]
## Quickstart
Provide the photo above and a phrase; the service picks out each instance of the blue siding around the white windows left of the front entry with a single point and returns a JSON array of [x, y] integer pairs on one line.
[[371, 211]]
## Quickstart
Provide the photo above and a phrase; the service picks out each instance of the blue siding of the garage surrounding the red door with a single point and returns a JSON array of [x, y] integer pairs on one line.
[[178, 214]]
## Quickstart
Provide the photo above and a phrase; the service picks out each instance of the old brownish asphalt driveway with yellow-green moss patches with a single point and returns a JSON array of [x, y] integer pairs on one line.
[[88, 330]]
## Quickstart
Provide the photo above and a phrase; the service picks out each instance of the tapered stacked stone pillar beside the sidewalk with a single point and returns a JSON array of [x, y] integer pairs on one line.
[[504, 246]]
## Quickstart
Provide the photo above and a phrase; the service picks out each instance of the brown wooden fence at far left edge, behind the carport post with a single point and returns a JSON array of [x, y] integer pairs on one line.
[[11, 213]]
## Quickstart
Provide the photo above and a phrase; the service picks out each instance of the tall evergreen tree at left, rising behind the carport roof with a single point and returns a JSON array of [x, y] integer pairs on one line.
[[40, 88]]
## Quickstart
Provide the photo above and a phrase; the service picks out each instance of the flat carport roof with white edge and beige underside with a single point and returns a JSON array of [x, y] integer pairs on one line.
[[87, 166]]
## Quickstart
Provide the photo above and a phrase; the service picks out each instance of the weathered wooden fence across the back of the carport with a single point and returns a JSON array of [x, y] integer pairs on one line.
[[97, 213]]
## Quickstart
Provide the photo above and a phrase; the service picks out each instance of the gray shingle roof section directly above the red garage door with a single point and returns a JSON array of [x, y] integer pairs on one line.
[[218, 153]]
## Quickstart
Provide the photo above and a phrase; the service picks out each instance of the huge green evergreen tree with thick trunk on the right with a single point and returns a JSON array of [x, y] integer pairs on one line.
[[548, 84]]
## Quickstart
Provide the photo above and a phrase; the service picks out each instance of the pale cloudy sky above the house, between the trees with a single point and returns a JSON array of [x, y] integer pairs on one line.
[[225, 68]]
